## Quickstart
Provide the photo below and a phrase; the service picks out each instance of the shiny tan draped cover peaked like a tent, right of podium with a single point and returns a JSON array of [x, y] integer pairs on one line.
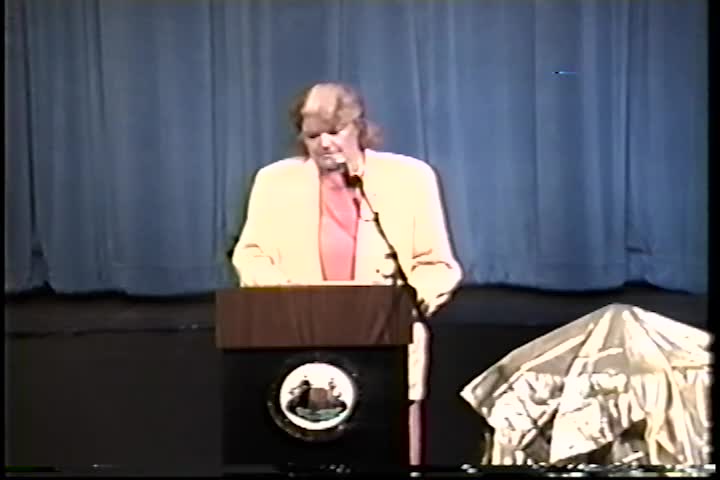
[[619, 385]]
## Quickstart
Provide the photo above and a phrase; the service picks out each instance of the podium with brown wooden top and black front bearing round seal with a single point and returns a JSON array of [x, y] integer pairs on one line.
[[315, 376]]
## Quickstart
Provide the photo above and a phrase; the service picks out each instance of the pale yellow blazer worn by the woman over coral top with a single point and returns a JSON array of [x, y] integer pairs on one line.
[[279, 243]]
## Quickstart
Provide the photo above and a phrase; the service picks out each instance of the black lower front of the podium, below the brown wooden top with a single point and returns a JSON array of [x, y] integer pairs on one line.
[[258, 430]]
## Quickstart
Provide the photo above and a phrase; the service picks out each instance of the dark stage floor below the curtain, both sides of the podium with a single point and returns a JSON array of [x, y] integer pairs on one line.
[[136, 382]]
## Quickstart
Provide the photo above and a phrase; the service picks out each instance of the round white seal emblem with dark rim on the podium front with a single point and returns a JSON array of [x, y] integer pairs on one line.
[[314, 401]]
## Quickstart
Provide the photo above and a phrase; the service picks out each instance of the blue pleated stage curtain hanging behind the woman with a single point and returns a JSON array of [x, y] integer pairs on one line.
[[570, 137]]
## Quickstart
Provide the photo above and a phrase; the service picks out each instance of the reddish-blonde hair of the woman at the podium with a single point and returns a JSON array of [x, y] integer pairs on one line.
[[337, 104]]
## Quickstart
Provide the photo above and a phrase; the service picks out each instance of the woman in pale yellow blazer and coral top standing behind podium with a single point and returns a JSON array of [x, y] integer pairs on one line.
[[343, 211]]
